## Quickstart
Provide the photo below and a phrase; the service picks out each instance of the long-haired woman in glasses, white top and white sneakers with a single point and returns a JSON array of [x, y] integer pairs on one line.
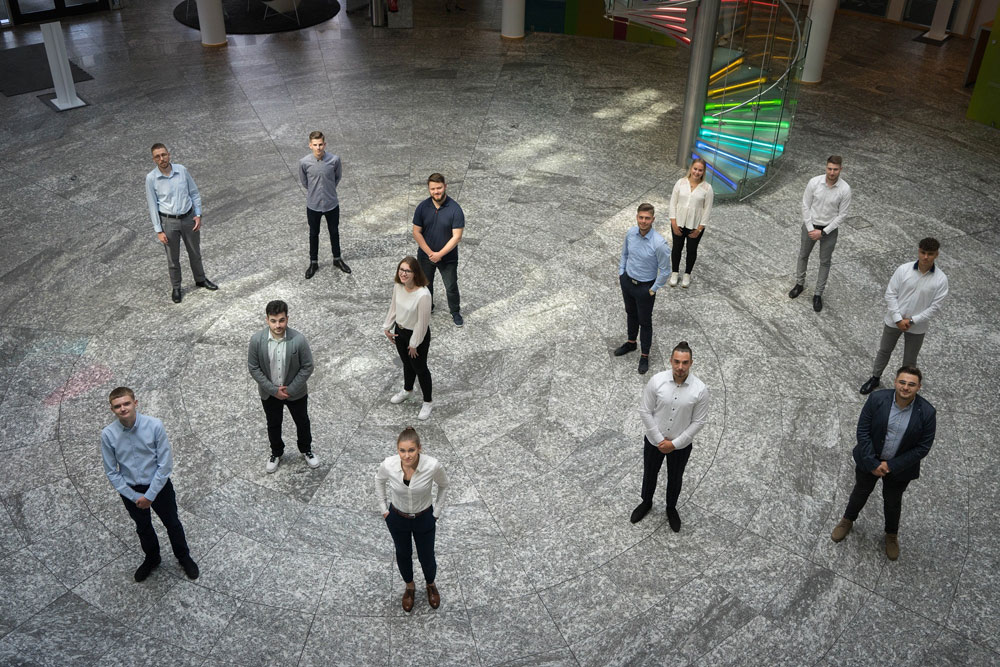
[[410, 312]]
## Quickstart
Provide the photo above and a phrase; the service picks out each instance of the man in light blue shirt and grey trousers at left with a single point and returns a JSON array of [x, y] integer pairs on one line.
[[175, 209]]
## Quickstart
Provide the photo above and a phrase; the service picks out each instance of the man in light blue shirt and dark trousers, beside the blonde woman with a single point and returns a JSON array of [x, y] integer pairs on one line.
[[642, 270]]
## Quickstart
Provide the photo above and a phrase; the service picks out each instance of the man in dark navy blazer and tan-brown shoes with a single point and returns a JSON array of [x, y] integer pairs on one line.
[[895, 430]]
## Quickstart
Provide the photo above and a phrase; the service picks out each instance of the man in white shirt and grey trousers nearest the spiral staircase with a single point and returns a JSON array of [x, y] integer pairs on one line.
[[824, 206]]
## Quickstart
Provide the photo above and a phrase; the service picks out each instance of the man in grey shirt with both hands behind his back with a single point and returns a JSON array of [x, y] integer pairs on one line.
[[319, 173]]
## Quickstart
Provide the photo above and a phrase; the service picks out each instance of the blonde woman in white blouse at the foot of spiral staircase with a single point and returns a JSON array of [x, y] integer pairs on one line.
[[690, 208]]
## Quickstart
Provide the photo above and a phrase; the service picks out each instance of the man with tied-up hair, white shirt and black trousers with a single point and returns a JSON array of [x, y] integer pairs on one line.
[[673, 408]]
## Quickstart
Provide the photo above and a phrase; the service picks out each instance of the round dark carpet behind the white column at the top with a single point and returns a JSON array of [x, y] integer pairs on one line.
[[241, 22]]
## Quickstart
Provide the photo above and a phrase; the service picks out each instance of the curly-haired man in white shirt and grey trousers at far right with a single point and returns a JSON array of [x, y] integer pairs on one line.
[[912, 297]]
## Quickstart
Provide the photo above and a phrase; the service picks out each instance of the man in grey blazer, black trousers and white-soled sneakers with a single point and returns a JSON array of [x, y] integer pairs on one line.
[[280, 361]]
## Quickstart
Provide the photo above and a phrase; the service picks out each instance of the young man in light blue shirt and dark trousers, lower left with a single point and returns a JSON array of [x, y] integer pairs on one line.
[[138, 462]]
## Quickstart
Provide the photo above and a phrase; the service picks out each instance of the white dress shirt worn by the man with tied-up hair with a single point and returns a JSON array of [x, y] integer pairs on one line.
[[674, 412]]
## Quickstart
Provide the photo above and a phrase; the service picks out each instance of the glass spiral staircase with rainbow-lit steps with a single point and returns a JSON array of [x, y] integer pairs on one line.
[[744, 93]]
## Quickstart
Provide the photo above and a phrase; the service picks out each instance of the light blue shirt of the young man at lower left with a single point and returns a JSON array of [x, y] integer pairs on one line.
[[137, 455]]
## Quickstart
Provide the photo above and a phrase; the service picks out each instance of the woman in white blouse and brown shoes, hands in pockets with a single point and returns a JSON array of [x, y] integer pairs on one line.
[[411, 515]]
